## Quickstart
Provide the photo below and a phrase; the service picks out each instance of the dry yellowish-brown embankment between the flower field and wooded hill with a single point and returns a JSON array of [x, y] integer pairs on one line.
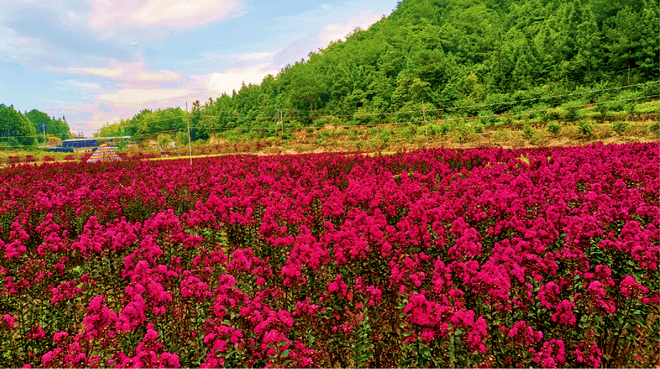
[[392, 138]]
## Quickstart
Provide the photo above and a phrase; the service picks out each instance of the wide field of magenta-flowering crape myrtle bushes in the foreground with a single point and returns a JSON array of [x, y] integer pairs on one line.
[[488, 257]]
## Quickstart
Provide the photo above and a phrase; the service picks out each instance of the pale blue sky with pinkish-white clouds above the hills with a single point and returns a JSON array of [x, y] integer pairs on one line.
[[97, 61]]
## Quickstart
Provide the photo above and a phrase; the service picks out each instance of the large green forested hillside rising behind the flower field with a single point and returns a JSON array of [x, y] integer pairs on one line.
[[445, 54]]
